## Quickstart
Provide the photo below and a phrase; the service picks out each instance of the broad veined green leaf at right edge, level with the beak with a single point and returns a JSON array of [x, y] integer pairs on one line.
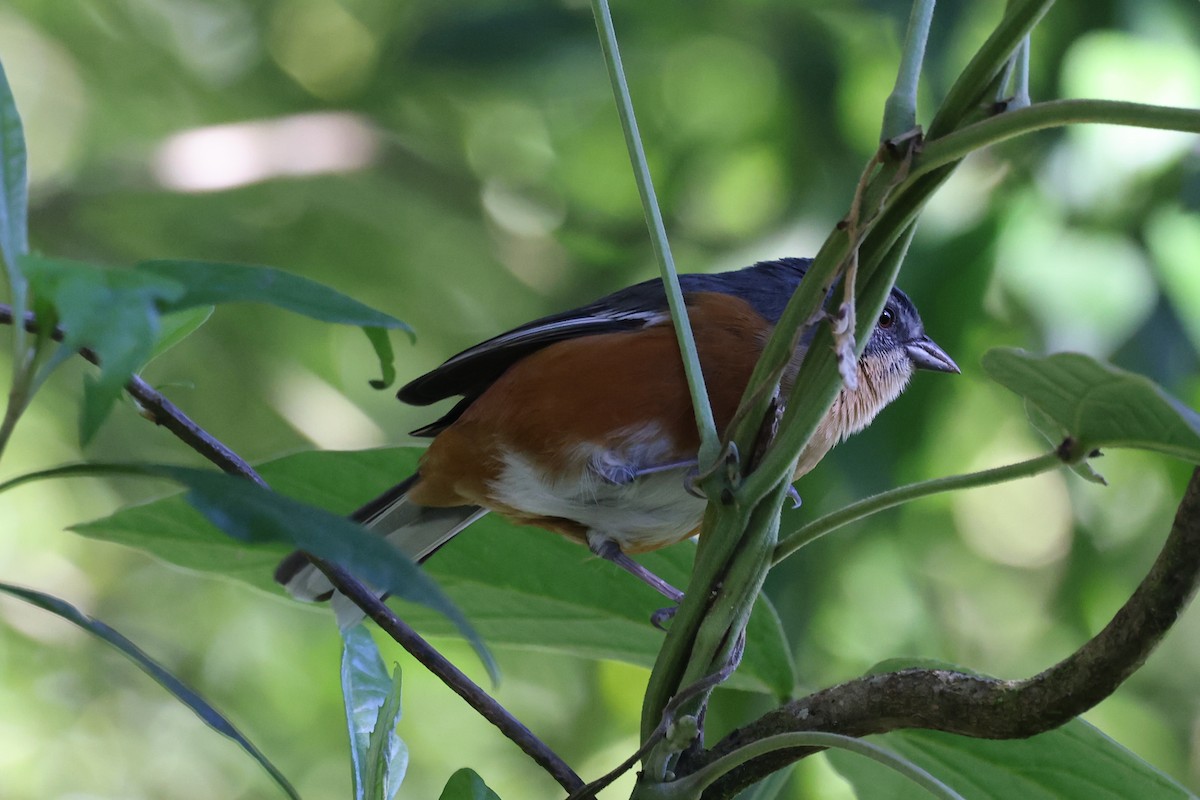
[[1097, 405]]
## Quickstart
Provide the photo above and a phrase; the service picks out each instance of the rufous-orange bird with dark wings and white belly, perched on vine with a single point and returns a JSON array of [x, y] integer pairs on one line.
[[581, 423]]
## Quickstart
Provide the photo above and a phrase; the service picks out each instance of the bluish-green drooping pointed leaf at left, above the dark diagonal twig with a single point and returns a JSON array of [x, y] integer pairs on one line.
[[115, 312]]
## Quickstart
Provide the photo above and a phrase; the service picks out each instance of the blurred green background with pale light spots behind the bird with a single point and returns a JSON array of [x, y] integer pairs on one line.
[[460, 166]]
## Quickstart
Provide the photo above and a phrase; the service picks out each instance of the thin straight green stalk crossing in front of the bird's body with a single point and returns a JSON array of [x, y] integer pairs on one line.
[[710, 438]]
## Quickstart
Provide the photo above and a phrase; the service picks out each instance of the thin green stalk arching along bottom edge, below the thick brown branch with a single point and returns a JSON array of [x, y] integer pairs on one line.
[[693, 786]]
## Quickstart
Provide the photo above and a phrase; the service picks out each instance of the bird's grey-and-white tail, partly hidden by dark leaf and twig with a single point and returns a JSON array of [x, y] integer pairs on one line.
[[418, 532]]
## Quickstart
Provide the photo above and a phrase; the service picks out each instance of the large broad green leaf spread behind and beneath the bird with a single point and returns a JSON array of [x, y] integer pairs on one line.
[[520, 587]]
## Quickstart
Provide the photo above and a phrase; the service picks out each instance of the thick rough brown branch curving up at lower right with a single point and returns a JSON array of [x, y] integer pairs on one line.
[[986, 708]]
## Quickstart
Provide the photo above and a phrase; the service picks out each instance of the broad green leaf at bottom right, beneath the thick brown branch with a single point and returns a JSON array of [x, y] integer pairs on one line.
[[1076, 761]]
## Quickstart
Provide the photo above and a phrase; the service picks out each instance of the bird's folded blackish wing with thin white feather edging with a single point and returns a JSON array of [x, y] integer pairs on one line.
[[766, 286]]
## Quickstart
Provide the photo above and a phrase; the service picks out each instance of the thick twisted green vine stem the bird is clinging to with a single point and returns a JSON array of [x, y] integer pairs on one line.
[[892, 202]]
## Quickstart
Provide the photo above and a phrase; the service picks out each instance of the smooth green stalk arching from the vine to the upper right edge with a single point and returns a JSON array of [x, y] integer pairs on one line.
[[953, 147]]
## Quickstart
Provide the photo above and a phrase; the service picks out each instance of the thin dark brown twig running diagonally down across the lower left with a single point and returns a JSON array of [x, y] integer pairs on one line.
[[163, 412]]
